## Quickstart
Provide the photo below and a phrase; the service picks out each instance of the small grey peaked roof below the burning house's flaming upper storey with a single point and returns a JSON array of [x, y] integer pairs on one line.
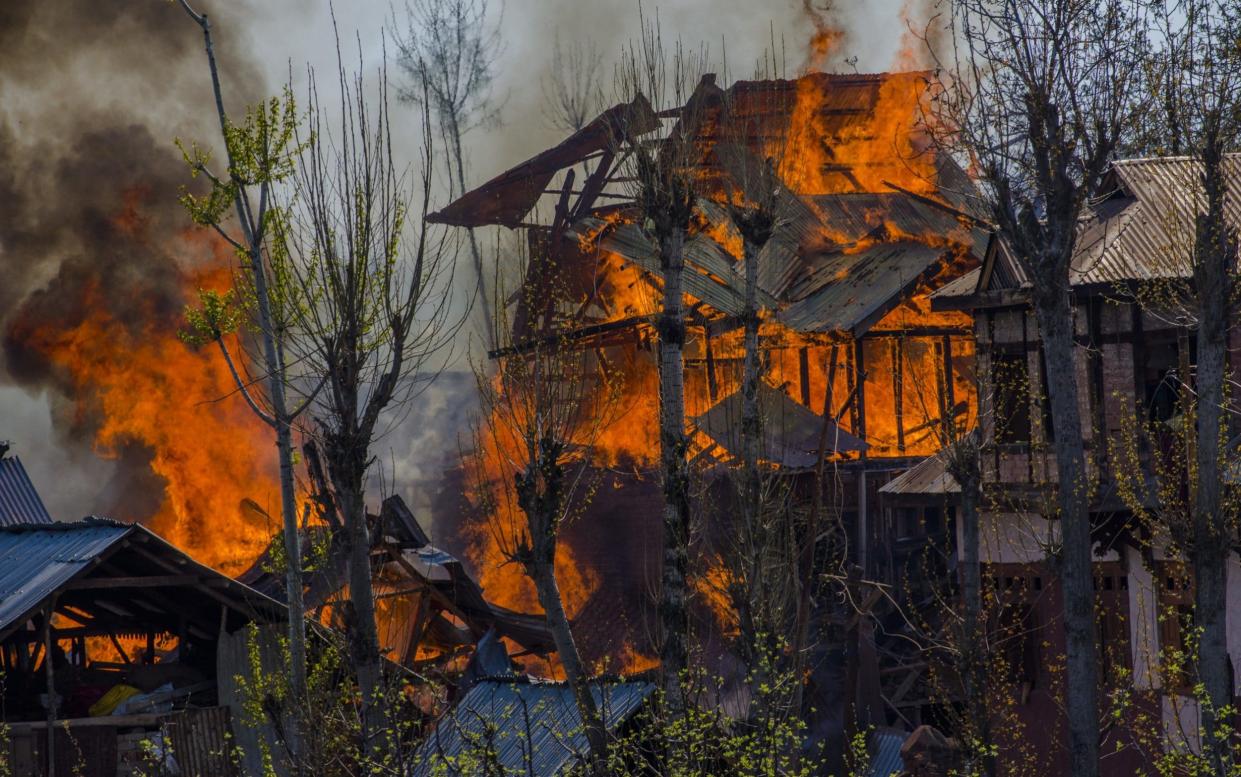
[[791, 430]]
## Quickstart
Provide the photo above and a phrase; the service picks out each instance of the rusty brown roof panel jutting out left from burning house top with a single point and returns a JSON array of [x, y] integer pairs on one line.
[[507, 199]]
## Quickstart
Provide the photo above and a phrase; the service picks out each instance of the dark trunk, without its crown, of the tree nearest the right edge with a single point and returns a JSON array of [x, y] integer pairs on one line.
[[1211, 546]]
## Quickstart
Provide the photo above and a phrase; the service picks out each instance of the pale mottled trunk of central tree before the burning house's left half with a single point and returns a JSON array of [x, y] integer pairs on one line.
[[674, 616]]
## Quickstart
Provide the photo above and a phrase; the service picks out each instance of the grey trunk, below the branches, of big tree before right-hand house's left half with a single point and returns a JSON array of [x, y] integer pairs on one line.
[[1055, 317]]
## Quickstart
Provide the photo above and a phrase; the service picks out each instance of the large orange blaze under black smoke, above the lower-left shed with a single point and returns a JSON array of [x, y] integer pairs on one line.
[[155, 392]]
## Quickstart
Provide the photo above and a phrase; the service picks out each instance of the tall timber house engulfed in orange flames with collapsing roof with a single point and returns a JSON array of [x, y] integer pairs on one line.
[[869, 224]]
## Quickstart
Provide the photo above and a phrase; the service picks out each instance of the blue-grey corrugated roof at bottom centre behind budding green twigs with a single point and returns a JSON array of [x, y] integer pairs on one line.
[[532, 727]]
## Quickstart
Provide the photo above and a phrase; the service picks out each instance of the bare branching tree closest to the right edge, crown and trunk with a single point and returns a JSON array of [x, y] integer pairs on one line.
[[1197, 78]]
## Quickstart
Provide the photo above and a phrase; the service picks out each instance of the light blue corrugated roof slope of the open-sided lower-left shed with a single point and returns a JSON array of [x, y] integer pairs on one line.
[[38, 560]]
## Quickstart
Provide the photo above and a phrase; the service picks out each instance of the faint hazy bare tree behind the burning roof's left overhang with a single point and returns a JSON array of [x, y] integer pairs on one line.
[[449, 53]]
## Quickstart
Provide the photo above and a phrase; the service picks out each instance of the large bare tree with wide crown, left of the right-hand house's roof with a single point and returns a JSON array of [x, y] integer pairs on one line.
[[1039, 96]]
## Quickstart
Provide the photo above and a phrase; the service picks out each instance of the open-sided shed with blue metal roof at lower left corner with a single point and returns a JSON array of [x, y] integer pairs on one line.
[[126, 619]]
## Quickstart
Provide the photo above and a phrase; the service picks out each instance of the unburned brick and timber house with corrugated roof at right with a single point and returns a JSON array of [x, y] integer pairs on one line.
[[1135, 362]]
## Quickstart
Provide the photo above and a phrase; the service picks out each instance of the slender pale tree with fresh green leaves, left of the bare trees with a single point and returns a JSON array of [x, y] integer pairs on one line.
[[260, 156]]
